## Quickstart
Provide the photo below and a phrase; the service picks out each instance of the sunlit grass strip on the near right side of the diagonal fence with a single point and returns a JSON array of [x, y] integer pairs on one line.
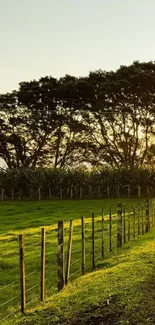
[[123, 292]]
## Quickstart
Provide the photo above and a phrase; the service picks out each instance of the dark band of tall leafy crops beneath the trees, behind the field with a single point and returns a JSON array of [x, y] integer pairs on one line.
[[42, 183]]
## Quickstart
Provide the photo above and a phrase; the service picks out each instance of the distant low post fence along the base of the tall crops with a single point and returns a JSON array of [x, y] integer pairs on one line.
[[77, 192]]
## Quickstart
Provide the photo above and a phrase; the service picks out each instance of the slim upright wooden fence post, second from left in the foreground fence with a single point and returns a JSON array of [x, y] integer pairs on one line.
[[42, 264]]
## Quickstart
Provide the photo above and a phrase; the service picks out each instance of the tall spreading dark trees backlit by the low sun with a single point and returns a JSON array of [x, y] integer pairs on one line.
[[103, 119]]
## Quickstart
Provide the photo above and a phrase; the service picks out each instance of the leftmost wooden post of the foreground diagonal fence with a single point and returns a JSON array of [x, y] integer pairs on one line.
[[22, 273]]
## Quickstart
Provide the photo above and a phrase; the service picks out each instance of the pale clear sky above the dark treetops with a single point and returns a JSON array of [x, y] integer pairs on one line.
[[58, 37]]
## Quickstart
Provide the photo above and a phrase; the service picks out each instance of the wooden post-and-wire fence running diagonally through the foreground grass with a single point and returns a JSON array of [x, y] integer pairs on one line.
[[36, 265]]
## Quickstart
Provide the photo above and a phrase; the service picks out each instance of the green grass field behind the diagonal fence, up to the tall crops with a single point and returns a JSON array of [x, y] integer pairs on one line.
[[28, 218]]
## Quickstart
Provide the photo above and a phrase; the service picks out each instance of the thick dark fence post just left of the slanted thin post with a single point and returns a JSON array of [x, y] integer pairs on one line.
[[60, 255]]
